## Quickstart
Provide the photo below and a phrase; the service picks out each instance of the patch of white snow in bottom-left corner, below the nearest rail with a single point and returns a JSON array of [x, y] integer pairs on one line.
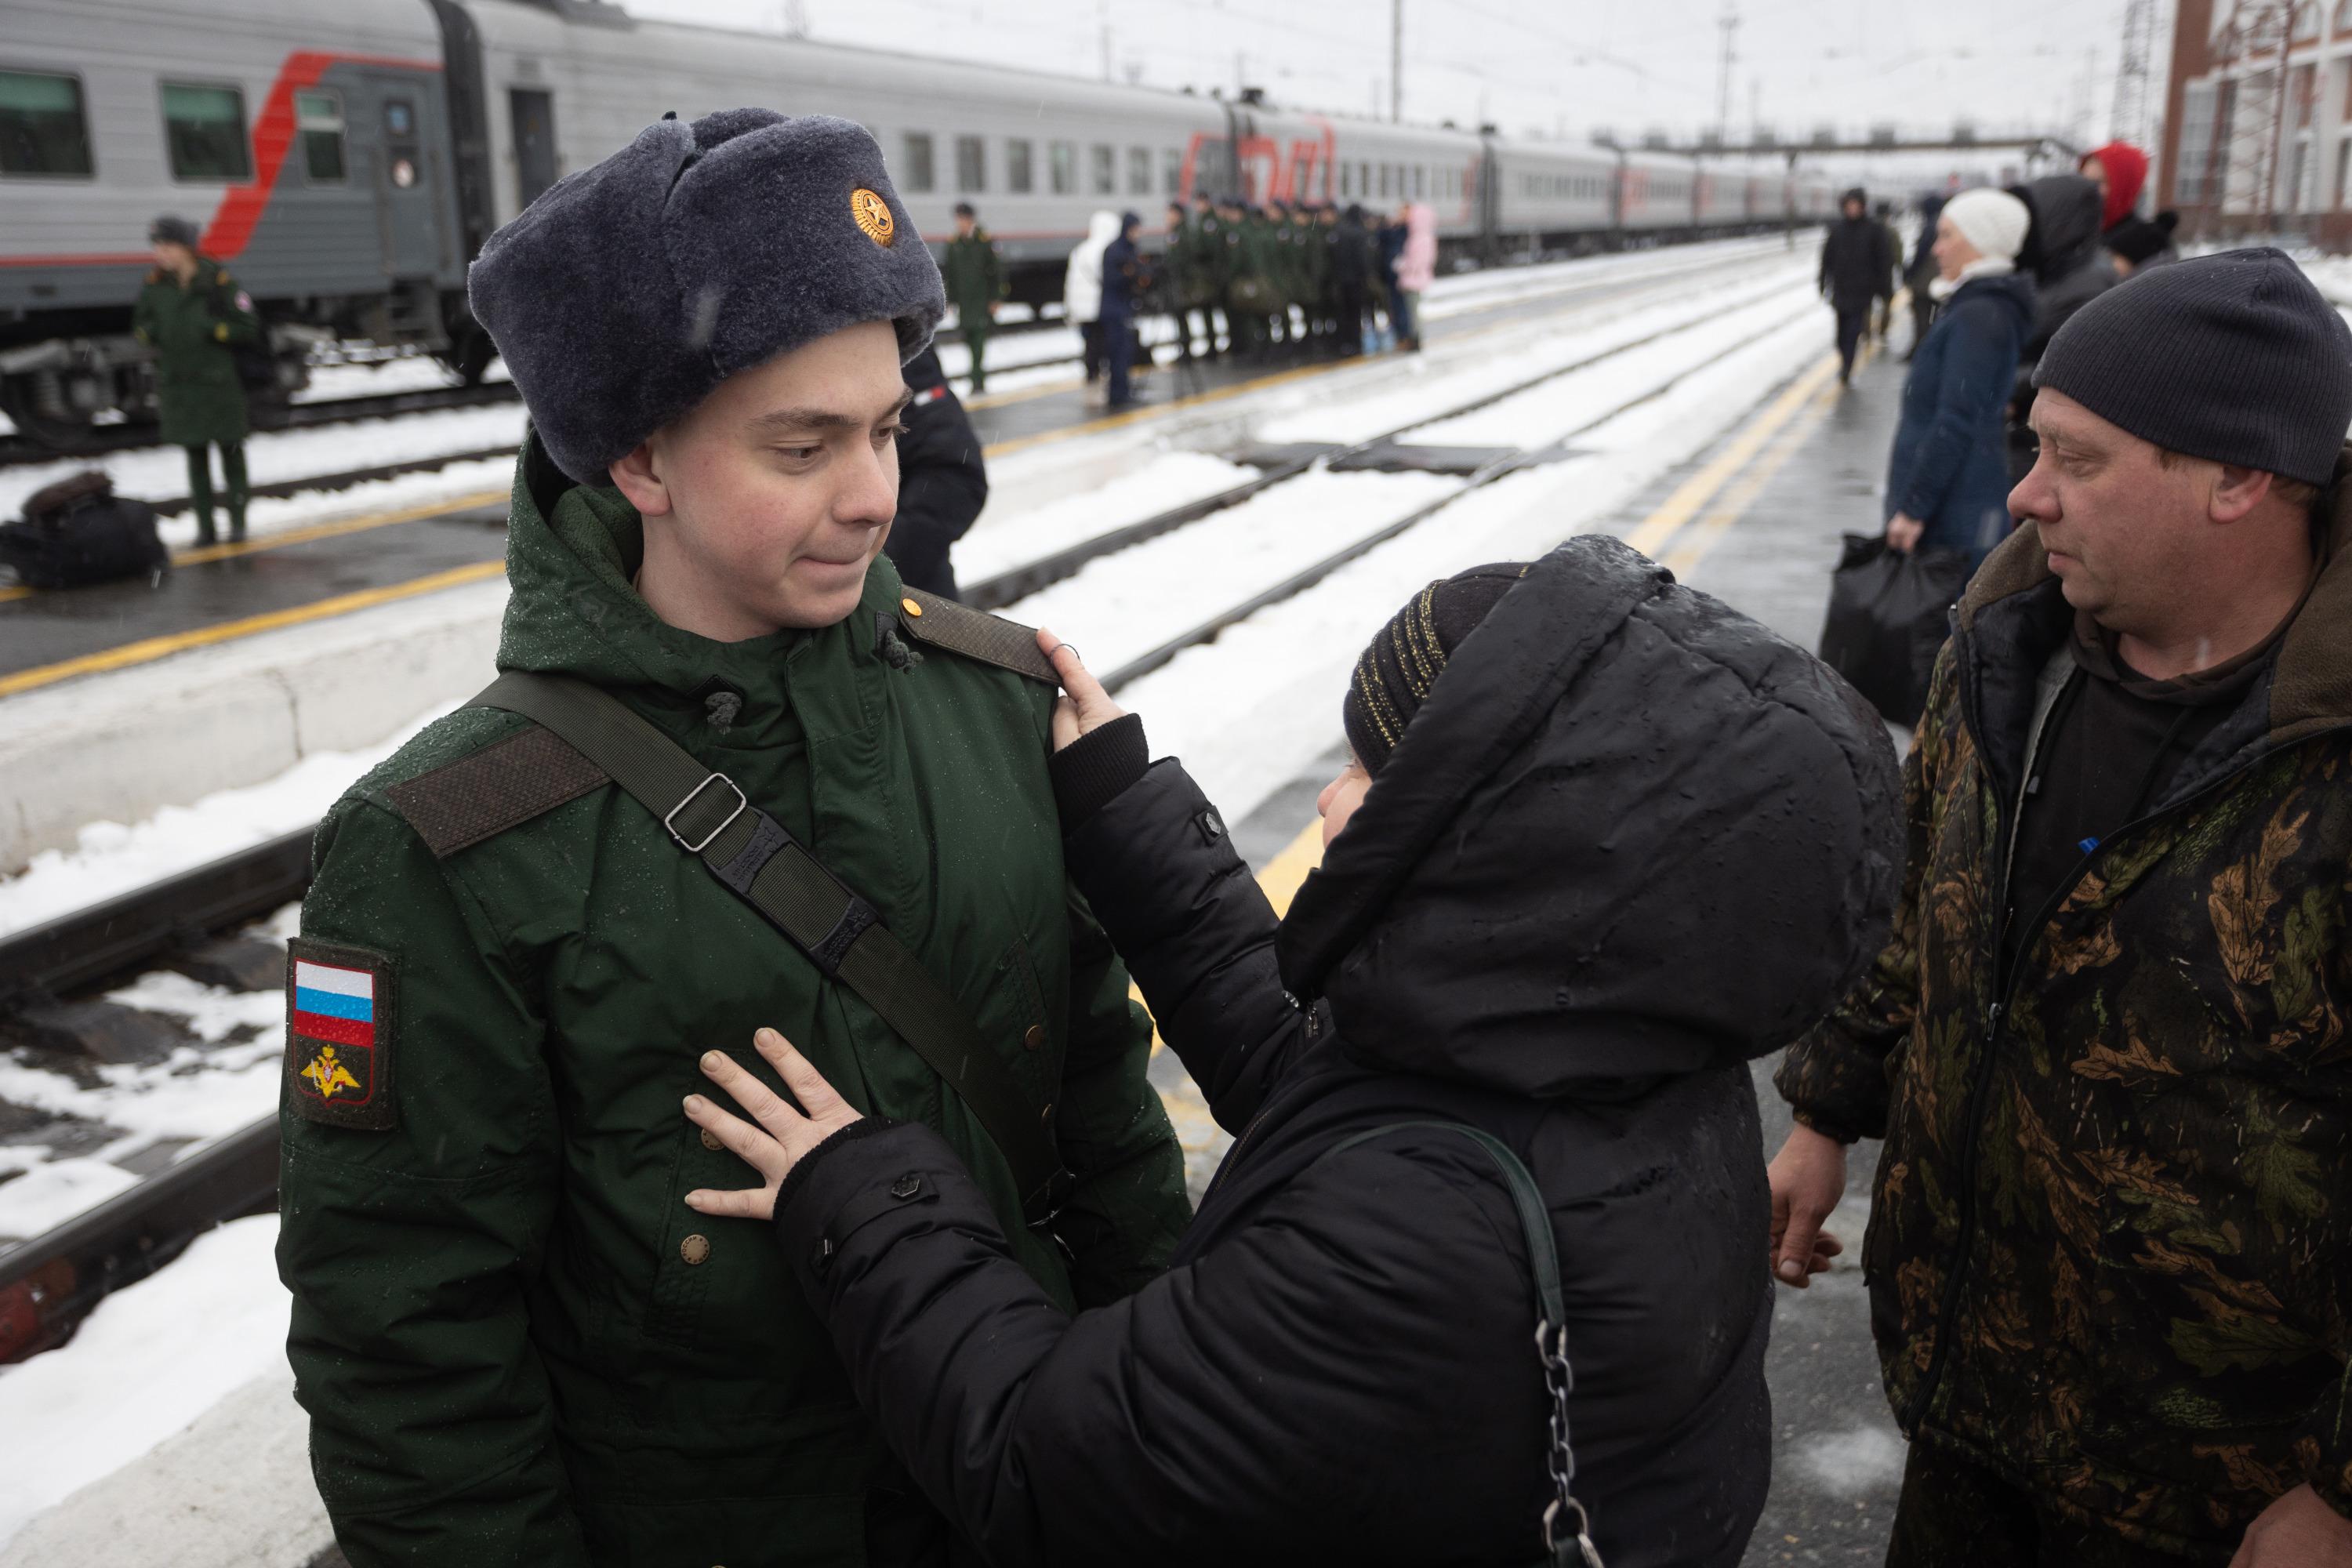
[[149, 1360]]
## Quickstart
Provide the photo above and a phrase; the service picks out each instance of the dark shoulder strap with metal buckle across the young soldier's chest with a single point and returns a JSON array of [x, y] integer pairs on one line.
[[770, 871]]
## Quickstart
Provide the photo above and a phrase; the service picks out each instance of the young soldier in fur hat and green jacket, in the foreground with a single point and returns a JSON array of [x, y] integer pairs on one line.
[[733, 777]]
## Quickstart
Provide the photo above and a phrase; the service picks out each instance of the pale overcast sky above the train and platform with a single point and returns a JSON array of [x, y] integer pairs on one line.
[[1537, 65]]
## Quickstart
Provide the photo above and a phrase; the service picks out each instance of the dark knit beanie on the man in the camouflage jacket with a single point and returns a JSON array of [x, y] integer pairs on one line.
[[2233, 359]]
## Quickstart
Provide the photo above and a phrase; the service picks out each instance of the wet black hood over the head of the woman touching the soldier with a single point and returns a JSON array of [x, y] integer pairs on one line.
[[1631, 833]]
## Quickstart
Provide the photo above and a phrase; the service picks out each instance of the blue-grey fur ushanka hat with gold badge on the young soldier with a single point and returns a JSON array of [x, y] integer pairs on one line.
[[627, 293]]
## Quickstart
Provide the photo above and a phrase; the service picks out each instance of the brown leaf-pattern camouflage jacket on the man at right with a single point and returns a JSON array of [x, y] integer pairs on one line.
[[2113, 1228]]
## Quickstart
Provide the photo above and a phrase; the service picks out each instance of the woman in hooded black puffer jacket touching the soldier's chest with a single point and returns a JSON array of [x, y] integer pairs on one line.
[[1624, 843]]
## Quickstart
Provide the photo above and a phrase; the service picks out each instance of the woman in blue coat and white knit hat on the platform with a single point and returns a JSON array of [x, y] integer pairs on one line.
[[1949, 474]]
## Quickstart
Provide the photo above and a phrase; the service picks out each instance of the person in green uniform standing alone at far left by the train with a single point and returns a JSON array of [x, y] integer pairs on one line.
[[196, 316]]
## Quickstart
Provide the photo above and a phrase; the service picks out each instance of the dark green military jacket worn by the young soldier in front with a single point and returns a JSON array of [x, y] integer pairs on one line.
[[514, 1339]]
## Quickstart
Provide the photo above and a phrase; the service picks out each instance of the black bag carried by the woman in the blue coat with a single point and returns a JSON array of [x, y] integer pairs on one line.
[[1887, 622]]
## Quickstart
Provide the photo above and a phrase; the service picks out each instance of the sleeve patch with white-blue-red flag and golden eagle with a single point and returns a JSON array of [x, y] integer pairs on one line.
[[340, 1036]]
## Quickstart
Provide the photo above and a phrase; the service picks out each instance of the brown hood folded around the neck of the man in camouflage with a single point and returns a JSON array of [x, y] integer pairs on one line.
[[2311, 683]]
